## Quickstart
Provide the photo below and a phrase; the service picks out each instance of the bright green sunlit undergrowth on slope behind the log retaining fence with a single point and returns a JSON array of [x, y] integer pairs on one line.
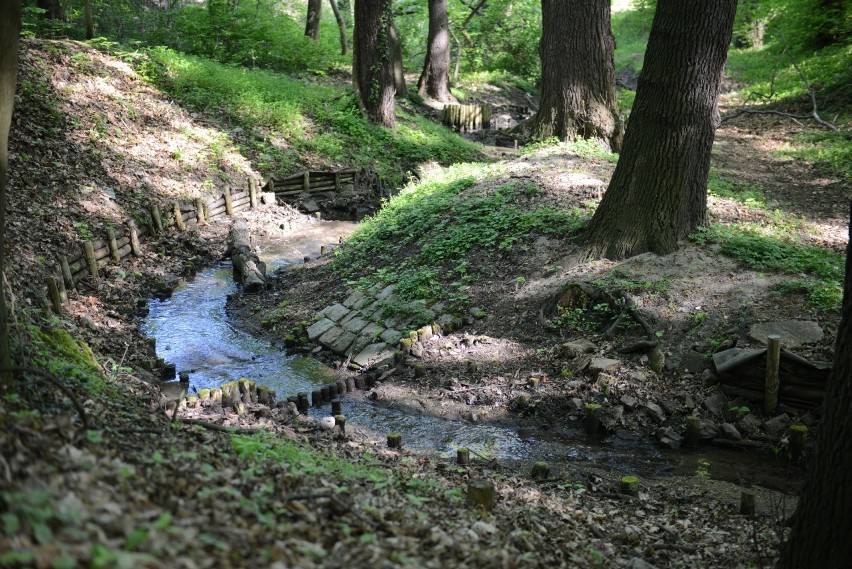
[[285, 124]]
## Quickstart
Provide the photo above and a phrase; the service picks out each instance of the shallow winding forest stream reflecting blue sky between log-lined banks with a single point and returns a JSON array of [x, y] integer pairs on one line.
[[192, 331]]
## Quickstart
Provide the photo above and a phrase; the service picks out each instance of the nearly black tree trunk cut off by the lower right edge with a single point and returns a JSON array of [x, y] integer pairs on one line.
[[823, 523]]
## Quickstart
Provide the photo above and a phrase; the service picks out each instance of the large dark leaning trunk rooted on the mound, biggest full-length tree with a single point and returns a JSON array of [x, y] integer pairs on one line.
[[658, 192]]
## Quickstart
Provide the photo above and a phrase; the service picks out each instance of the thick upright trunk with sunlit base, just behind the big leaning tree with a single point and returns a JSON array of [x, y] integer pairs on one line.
[[577, 73]]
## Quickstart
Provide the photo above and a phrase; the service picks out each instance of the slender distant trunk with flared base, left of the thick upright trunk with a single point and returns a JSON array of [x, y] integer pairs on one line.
[[435, 79]]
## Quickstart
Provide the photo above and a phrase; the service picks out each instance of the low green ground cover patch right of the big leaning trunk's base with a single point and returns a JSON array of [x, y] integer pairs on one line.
[[757, 250]]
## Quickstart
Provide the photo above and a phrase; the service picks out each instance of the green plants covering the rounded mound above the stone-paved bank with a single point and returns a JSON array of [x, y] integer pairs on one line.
[[429, 239]]
